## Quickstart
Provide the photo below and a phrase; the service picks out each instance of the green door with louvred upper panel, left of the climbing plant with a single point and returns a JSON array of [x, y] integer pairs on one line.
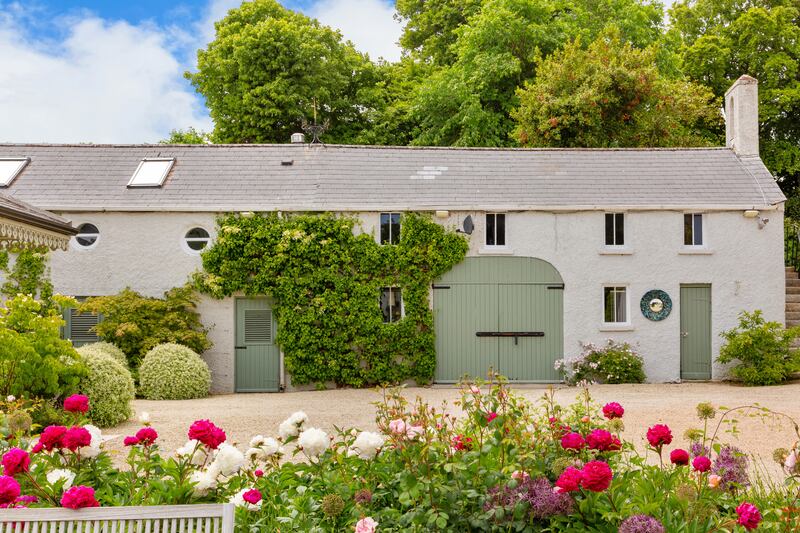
[[257, 356]]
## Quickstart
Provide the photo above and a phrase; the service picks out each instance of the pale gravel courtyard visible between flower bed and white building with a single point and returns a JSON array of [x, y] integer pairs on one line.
[[244, 415]]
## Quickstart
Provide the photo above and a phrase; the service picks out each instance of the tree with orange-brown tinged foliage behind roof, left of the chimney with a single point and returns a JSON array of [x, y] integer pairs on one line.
[[611, 95]]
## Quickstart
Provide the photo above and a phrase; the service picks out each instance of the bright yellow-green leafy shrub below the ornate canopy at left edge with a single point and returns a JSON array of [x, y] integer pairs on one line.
[[34, 360]]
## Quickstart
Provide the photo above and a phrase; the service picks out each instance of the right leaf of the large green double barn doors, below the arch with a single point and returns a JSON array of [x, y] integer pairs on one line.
[[534, 309]]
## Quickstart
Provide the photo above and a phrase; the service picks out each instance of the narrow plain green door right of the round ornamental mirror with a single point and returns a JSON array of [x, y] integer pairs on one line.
[[695, 332]]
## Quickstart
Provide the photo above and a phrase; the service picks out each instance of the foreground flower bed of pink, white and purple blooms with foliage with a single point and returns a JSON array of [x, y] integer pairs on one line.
[[506, 465]]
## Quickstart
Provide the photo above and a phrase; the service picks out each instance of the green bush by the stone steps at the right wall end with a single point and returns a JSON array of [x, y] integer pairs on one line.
[[761, 350]]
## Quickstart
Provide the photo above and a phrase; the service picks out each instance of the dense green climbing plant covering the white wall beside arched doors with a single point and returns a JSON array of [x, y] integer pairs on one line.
[[325, 280]]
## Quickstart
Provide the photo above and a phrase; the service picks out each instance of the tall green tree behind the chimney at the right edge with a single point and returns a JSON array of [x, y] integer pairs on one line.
[[722, 39]]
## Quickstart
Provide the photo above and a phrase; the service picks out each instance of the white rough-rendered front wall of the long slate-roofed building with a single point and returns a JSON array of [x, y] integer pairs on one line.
[[743, 264]]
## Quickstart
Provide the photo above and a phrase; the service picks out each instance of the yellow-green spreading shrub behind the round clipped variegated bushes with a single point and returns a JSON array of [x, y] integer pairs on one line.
[[137, 323]]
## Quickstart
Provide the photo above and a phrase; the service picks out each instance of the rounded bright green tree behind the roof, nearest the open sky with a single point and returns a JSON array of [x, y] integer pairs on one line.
[[265, 67]]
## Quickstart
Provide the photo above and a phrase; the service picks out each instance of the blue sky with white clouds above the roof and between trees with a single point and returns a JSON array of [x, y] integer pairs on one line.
[[111, 71]]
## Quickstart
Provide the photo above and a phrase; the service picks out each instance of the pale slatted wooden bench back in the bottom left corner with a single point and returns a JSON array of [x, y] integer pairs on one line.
[[206, 518]]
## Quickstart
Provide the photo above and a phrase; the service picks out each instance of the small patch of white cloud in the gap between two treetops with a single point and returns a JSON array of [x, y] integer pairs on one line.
[[369, 24]]
